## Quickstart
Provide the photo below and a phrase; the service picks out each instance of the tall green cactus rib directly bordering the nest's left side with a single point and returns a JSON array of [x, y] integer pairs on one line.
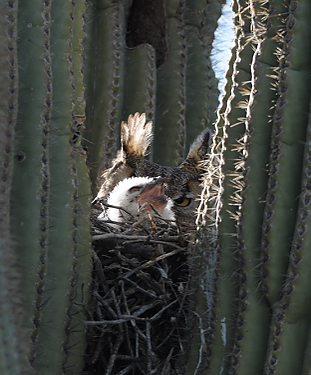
[[61, 338]]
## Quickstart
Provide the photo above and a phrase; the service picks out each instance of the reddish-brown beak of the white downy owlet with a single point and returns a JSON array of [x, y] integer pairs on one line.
[[152, 197]]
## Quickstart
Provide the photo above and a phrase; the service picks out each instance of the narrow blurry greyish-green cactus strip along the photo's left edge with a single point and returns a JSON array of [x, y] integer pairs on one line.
[[11, 343]]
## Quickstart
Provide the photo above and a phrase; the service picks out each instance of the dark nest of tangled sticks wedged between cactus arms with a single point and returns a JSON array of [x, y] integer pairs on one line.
[[138, 315]]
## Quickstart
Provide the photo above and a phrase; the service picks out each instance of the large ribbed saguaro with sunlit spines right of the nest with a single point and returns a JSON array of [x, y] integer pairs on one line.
[[258, 187]]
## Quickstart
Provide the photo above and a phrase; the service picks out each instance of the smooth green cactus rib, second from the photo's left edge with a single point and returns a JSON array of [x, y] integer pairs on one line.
[[30, 182]]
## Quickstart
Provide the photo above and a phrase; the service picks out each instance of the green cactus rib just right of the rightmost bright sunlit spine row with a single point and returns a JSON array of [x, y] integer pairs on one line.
[[252, 328]]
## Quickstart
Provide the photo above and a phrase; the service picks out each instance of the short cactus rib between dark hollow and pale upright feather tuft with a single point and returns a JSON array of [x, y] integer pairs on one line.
[[140, 81]]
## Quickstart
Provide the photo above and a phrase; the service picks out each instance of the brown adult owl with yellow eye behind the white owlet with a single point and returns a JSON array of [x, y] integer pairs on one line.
[[182, 183]]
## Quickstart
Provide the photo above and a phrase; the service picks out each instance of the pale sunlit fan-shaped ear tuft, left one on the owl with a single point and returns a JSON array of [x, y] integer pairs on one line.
[[136, 135]]
